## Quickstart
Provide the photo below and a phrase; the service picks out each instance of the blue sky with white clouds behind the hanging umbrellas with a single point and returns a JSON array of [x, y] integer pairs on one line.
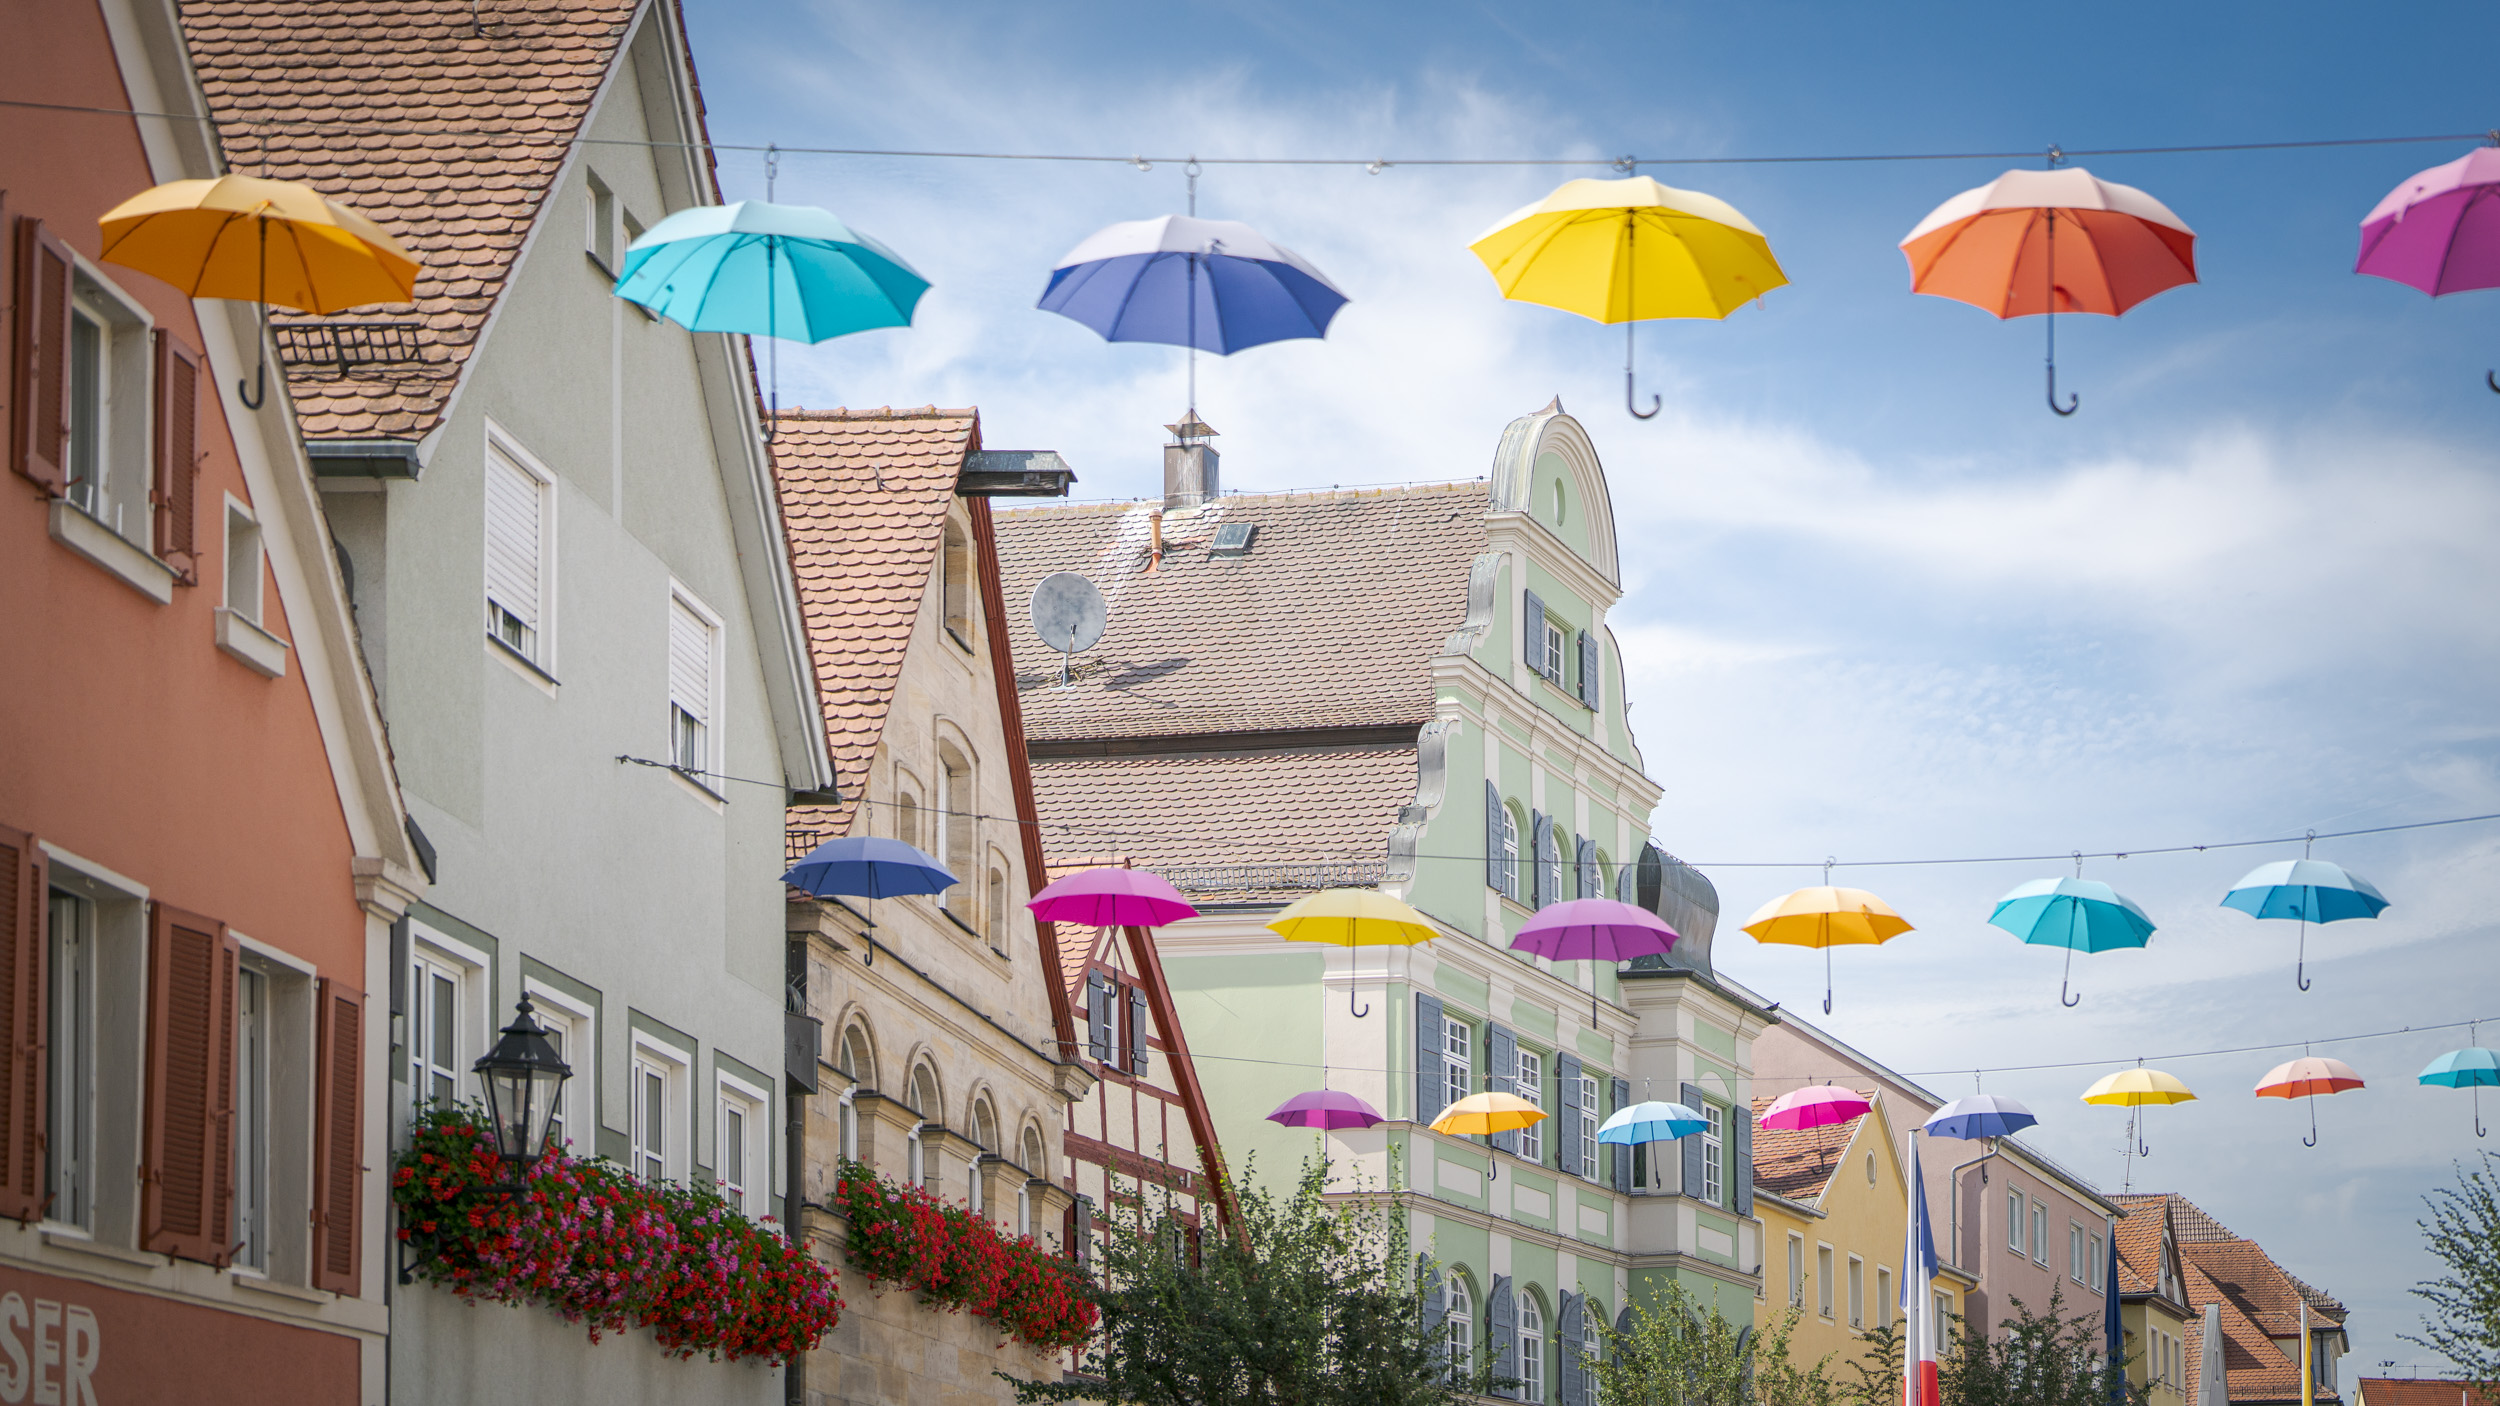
[[1879, 599]]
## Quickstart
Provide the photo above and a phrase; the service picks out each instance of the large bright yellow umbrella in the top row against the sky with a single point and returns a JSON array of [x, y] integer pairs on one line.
[[1624, 251]]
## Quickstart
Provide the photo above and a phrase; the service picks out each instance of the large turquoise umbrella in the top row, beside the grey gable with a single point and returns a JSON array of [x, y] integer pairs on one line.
[[769, 271]]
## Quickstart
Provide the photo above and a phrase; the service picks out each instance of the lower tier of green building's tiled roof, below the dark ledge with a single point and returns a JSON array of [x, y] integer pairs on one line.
[[1231, 827]]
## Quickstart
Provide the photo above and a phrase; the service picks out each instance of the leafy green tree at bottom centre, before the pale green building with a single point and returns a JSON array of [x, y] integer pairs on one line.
[[1309, 1302]]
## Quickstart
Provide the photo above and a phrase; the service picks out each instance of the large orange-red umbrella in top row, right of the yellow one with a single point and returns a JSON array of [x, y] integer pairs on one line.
[[1999, 249]]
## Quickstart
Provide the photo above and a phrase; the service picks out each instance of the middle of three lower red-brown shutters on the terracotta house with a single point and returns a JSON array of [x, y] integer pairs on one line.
[[189, 1155]]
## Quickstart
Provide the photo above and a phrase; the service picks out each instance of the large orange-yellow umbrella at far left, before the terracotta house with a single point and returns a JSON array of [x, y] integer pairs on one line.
[[259, 241]]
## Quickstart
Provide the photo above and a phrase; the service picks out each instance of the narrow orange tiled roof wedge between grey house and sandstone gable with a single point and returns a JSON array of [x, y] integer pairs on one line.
[[864, 504]]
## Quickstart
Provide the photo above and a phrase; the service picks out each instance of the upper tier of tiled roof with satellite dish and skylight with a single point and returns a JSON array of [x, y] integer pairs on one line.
[[1329, 622]]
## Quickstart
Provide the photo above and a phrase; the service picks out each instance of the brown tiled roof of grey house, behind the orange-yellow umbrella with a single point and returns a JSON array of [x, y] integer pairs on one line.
[[406, 114]]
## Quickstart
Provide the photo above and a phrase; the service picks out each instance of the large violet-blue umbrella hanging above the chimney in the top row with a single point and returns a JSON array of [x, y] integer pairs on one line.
[[1191, 284]]
